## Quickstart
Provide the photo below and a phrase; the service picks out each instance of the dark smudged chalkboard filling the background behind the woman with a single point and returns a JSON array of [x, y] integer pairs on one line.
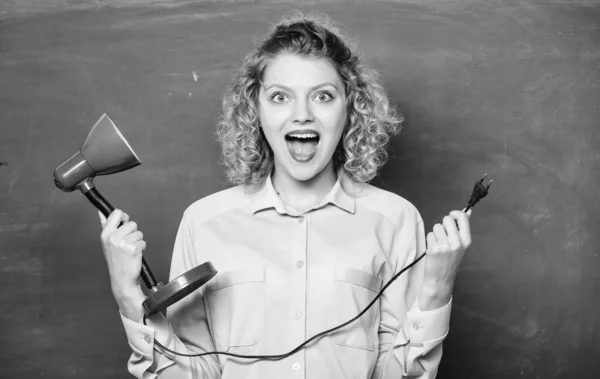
[[508, 89]]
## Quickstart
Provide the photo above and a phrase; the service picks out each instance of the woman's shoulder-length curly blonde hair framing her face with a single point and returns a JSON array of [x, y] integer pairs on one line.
[[371, 119]]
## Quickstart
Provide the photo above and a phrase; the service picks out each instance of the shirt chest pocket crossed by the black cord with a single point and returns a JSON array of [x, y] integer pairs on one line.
[[353, 290]]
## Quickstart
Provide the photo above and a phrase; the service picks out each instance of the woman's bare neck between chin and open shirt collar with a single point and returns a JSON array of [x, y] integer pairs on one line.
[[302, 195]]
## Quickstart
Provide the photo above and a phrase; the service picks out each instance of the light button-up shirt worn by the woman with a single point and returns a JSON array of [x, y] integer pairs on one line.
[[284, 277]]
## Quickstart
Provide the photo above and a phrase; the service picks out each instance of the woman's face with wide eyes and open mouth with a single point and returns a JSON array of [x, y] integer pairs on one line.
[[302, 105]]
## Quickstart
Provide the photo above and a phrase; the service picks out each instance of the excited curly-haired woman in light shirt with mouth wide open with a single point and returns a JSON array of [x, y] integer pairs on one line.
[[302, 243]]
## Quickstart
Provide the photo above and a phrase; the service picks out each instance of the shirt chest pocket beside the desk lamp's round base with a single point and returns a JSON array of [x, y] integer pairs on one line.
[[236, 307]]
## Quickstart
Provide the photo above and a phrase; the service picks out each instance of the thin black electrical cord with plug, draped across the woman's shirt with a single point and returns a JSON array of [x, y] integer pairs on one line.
[[479, 192]]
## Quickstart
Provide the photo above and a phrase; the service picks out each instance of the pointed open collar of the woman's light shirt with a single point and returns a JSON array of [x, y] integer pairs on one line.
[[339, 195]]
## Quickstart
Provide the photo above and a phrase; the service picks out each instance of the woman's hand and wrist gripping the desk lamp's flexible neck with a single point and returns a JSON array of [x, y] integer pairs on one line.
[[122, 246]]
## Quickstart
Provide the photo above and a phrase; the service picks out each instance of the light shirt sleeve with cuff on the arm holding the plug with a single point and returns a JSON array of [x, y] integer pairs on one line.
[[410, 340]]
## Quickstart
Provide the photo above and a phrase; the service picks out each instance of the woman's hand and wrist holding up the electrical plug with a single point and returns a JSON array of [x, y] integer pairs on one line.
[[446, 246]]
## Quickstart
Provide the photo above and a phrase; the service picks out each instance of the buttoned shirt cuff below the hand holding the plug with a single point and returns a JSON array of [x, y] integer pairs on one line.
[[425, 326]]
